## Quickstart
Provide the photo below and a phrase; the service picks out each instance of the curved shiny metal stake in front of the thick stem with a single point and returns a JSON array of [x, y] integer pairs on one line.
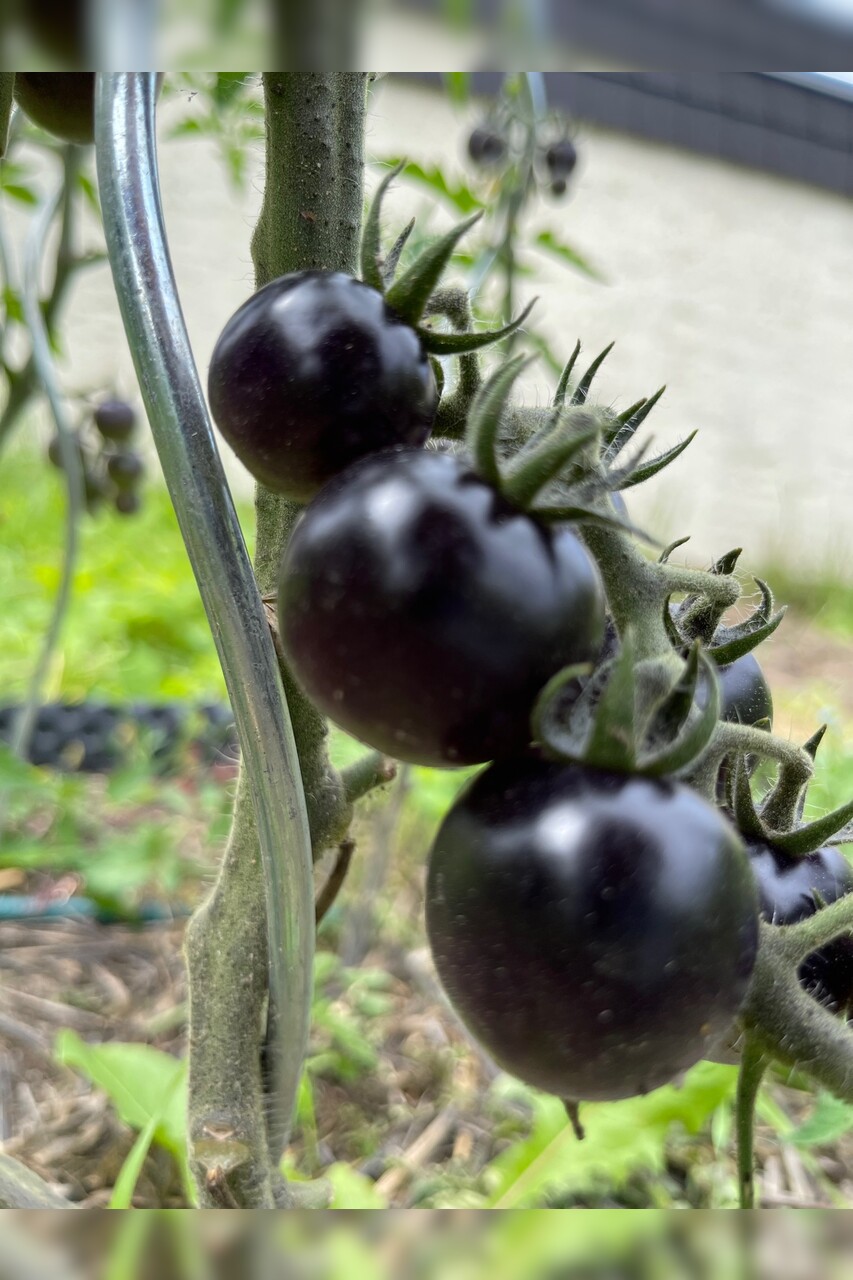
[[136, 241]]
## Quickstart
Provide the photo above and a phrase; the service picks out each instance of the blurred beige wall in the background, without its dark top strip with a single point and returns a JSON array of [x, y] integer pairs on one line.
[[731, 286]]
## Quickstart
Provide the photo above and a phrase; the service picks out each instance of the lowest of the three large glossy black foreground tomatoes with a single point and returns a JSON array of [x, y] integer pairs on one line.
[[595, 931]]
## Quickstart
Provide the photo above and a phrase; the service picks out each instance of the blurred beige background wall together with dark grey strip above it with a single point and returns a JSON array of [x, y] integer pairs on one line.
[[715, 211]]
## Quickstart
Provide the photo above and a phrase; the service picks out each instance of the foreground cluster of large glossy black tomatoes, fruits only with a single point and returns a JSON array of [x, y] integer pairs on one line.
[[596, 930]]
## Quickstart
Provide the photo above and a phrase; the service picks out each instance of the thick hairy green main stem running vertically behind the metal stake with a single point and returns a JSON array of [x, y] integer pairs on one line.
[[311, 218]]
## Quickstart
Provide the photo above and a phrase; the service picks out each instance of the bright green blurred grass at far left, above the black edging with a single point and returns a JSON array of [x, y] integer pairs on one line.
[[136, 628]]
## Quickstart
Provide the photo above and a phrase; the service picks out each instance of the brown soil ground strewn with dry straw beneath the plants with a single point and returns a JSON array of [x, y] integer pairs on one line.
[[419, 1119]]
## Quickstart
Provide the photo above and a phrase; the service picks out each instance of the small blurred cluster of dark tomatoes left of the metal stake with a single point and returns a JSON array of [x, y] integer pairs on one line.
[[112, 469]]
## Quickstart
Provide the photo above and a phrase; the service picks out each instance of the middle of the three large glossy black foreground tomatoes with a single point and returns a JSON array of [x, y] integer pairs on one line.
[[423, 614]]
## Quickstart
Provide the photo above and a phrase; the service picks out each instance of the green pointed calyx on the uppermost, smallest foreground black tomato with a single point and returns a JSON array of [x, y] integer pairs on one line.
[[409, 295]]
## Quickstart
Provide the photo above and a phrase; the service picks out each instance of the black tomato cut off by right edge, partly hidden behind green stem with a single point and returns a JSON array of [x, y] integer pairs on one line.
[[787, 889]]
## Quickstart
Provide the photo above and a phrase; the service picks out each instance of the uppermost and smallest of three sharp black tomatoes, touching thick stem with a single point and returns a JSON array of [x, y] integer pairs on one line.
[[314, 372]]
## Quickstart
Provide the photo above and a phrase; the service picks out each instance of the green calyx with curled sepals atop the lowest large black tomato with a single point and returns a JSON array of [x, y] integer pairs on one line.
[[630, 717]]
